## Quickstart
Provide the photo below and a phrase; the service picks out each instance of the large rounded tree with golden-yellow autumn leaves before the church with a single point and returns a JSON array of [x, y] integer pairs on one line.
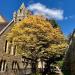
[[35, 37]]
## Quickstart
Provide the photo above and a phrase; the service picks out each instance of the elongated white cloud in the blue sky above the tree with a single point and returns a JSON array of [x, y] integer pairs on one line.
[[39, 8]]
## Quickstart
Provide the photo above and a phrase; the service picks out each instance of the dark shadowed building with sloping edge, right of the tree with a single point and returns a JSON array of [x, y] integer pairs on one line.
[[69, 60]]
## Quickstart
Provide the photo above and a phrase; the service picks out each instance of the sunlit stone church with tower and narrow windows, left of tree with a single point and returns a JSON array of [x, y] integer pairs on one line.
[[10, 62]]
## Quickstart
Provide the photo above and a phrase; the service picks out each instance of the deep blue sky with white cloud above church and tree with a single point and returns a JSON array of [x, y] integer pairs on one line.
[[62, 10]]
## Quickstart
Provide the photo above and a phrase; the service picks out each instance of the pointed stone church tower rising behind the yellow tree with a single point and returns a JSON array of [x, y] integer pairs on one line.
[[21, 13]]
